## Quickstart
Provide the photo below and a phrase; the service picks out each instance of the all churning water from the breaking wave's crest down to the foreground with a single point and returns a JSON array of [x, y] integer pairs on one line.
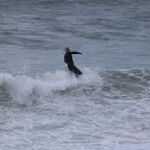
[[100, 110]]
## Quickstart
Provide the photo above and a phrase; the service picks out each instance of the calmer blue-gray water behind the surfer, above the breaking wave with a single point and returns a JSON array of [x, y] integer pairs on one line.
[[110, 33]]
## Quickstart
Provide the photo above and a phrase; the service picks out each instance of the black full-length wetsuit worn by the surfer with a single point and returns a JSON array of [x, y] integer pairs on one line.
[[69, 61]]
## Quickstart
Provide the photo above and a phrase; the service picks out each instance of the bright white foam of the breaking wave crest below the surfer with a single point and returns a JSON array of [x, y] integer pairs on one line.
[[22, 87]]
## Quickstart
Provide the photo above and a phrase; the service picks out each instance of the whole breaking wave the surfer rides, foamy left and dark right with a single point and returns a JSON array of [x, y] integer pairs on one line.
[[23, 89]]
